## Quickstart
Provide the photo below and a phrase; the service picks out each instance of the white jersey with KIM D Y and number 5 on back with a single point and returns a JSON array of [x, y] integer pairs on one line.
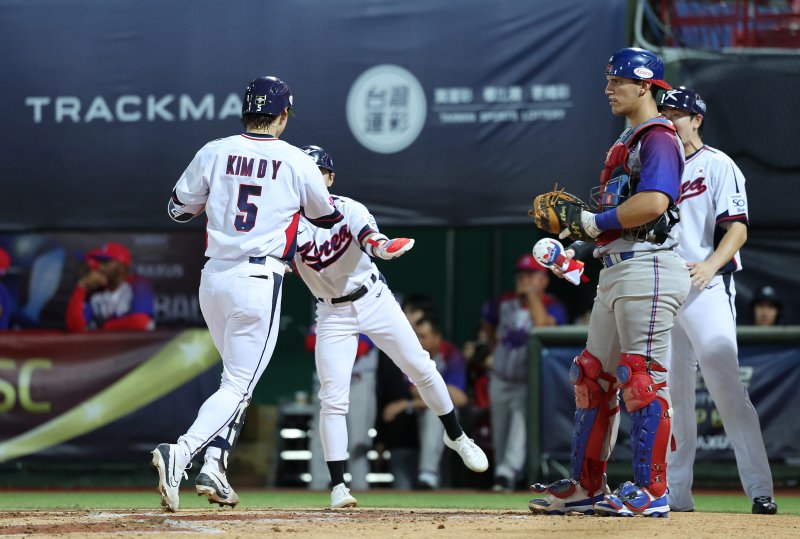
[[252, 186]]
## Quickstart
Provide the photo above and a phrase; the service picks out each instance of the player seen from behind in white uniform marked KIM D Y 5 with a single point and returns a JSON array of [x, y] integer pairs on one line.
[[254, 189]]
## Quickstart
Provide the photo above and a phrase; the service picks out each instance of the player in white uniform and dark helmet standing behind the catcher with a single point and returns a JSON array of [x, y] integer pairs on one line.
[[713, 228]]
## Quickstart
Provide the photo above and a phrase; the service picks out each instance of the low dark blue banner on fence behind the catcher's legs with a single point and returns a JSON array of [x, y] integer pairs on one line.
[[770, 374]]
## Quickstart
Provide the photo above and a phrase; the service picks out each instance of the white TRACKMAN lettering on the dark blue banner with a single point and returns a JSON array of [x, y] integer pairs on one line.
[[133, 108]]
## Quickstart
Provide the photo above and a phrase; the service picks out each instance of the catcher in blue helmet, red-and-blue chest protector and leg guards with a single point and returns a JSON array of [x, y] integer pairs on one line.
[[640, 289]]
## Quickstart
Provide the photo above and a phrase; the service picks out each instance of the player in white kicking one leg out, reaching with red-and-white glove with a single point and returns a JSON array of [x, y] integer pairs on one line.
[[352, 298]]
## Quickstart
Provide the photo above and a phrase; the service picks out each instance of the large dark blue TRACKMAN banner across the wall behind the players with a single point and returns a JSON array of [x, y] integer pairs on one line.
[[436, 112]]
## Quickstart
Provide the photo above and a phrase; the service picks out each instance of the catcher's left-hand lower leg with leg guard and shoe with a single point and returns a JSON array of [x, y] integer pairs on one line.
[[596, 418]]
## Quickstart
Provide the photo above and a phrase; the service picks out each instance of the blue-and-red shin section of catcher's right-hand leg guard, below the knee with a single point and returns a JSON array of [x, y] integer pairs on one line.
[[650, 437]]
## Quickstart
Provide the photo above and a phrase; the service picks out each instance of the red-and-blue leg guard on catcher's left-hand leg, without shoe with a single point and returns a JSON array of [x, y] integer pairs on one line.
[[596, 421]]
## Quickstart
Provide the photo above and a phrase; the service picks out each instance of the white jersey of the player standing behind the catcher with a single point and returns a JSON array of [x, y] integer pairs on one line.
[[712, 193]]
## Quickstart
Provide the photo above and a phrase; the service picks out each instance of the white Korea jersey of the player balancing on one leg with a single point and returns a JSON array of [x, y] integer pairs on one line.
[[332, 262]]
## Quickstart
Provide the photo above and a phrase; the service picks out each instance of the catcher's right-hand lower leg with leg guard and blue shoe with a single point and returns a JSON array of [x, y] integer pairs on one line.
[[647, 403]]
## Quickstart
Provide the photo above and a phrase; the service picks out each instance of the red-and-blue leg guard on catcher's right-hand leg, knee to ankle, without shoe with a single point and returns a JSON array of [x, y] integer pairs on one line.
[[650, 416]]
